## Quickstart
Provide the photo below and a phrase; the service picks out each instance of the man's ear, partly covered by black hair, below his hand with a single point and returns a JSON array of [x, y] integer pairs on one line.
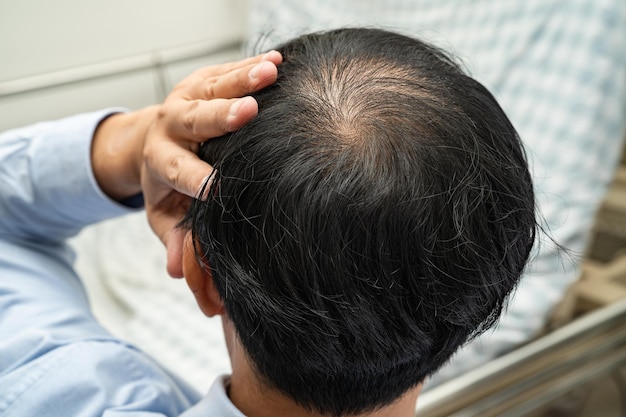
[[200, 280]]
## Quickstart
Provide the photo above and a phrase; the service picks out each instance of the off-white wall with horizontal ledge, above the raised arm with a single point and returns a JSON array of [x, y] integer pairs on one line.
[[45, 43]]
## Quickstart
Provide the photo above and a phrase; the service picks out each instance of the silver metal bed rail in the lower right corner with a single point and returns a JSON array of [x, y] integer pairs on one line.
[[535, 374]]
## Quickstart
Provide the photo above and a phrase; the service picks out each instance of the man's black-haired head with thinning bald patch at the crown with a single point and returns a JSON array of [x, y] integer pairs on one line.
[[371, 219]]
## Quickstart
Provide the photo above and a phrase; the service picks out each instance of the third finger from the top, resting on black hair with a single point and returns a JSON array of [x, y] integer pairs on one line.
[[203, 119]]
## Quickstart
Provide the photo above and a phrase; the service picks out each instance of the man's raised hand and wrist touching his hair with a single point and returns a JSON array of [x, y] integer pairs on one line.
[[154, 150]]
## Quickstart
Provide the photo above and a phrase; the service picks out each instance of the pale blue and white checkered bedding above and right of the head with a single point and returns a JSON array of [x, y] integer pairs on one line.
[[558, 68]]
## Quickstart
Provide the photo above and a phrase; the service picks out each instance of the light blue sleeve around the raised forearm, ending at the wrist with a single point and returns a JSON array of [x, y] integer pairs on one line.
[[48, 188]]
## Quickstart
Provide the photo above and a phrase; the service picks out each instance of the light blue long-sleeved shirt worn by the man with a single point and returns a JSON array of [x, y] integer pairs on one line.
[[55, 358]]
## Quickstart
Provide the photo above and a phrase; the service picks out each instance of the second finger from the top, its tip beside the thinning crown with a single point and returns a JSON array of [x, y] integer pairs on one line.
[[233, 84]]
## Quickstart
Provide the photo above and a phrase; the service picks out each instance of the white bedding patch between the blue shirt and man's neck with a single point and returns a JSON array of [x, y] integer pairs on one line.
[[123, 267]]
